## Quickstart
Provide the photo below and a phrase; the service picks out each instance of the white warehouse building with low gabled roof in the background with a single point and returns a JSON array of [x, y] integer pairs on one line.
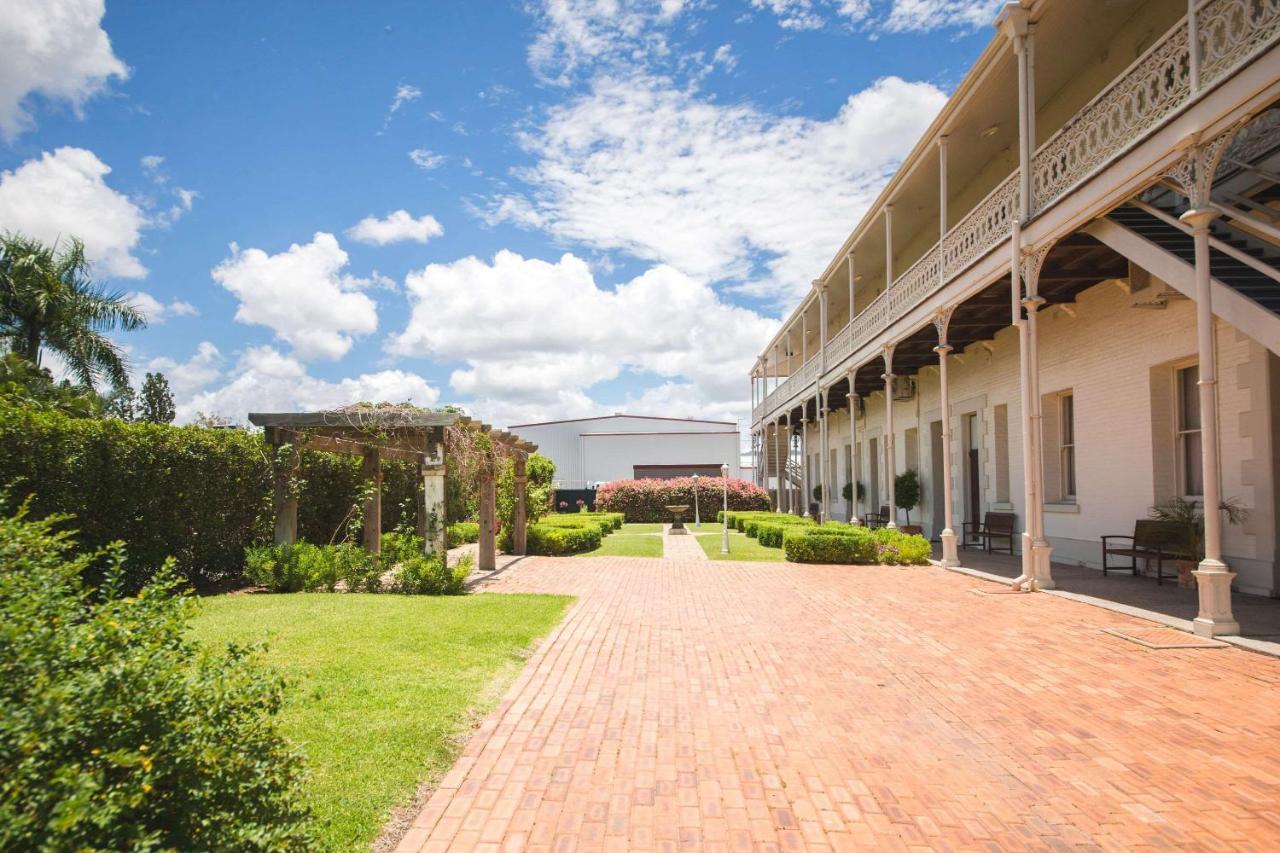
[[588, 451]]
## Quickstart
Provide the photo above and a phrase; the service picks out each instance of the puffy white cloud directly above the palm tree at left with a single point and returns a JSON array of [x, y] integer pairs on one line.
[[63, 195]]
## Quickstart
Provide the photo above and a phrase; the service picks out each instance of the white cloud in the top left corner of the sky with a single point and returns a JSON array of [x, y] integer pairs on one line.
[[57, 49]]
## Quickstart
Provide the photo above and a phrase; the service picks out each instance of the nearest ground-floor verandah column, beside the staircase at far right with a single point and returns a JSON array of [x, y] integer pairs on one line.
[[1213, 577]]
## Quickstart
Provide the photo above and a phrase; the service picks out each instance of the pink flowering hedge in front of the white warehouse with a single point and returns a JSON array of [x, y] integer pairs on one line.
[[647, 500]]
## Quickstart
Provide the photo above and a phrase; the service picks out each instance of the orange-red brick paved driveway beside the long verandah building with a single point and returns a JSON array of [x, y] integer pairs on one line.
[[732, 706]]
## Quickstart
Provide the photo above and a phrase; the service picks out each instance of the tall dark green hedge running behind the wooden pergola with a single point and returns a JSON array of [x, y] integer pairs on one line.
[[198, 495]]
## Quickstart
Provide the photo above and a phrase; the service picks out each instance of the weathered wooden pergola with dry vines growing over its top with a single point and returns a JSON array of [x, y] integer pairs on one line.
[[399, 434]]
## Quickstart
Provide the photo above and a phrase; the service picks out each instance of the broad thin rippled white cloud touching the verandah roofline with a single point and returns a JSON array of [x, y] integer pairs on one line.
[[714, 190]]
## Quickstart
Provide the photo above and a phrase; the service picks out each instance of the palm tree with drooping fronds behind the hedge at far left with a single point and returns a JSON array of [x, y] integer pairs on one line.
[[49, 302]]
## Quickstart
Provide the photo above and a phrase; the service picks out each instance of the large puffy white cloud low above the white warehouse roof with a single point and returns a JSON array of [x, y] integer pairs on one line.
[[537, 335]]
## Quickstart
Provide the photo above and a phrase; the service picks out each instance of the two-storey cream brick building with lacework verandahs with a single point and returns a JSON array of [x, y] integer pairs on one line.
[[1067, 302]]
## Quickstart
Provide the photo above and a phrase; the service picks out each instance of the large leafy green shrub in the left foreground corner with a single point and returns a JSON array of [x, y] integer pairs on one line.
[[117, 729]]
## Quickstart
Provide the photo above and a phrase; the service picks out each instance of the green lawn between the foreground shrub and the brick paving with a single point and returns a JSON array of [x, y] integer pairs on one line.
[[381, 687]]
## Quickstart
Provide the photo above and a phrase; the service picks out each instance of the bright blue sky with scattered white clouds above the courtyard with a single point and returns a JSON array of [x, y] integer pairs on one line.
[[536, 209]]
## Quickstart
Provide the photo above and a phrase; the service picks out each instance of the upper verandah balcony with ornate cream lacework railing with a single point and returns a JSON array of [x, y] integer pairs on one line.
[[1103, 75]]
